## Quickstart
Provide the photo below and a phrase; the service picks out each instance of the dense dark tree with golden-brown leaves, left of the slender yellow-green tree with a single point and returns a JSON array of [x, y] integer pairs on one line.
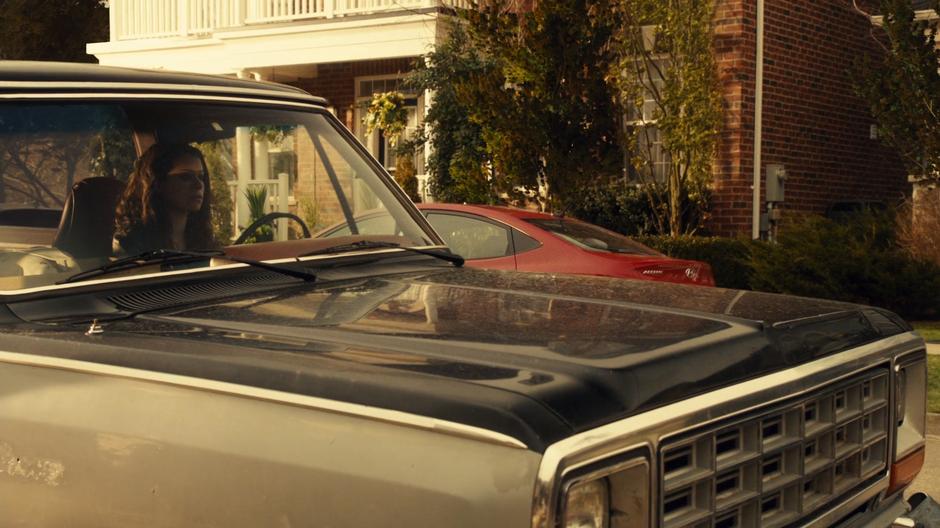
[[549, 116]]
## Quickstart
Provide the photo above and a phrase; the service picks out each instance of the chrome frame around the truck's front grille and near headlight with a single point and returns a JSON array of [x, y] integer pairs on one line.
[[648, 430]]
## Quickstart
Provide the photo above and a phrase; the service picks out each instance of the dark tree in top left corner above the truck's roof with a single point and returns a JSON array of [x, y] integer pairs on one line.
[[51, 30]]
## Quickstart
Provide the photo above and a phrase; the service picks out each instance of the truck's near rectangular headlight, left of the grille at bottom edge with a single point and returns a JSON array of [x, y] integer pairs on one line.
[[617, 496]]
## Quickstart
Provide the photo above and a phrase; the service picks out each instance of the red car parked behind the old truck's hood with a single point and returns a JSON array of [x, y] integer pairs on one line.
[[517, 239]]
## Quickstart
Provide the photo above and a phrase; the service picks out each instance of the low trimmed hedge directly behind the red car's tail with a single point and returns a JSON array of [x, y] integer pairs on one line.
[[729, 258]]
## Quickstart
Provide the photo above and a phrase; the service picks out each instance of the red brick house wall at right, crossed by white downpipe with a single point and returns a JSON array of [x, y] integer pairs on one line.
[[812, 122]]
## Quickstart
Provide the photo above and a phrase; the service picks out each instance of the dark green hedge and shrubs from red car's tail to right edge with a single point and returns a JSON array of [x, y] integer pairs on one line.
[[856, 259]]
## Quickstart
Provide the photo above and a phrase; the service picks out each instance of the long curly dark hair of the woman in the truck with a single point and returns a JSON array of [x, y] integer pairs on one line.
[[140, 218]]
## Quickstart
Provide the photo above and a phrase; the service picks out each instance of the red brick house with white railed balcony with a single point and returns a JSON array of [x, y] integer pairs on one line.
[[811, 124]]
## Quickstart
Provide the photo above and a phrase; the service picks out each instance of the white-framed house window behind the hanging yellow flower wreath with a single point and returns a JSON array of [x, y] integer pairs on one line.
[[376, 142]]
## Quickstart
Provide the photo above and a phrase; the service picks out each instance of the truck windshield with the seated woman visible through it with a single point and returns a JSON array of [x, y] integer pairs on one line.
[[84, 183]]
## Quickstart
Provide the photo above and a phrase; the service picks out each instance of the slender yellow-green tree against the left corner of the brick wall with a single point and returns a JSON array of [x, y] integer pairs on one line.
[[669, 85]]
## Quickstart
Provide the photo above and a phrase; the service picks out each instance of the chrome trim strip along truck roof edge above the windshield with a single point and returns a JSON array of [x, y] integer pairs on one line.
[[158, 87]]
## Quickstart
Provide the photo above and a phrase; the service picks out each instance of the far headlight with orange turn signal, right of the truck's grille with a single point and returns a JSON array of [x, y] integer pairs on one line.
[[911, 415]]
